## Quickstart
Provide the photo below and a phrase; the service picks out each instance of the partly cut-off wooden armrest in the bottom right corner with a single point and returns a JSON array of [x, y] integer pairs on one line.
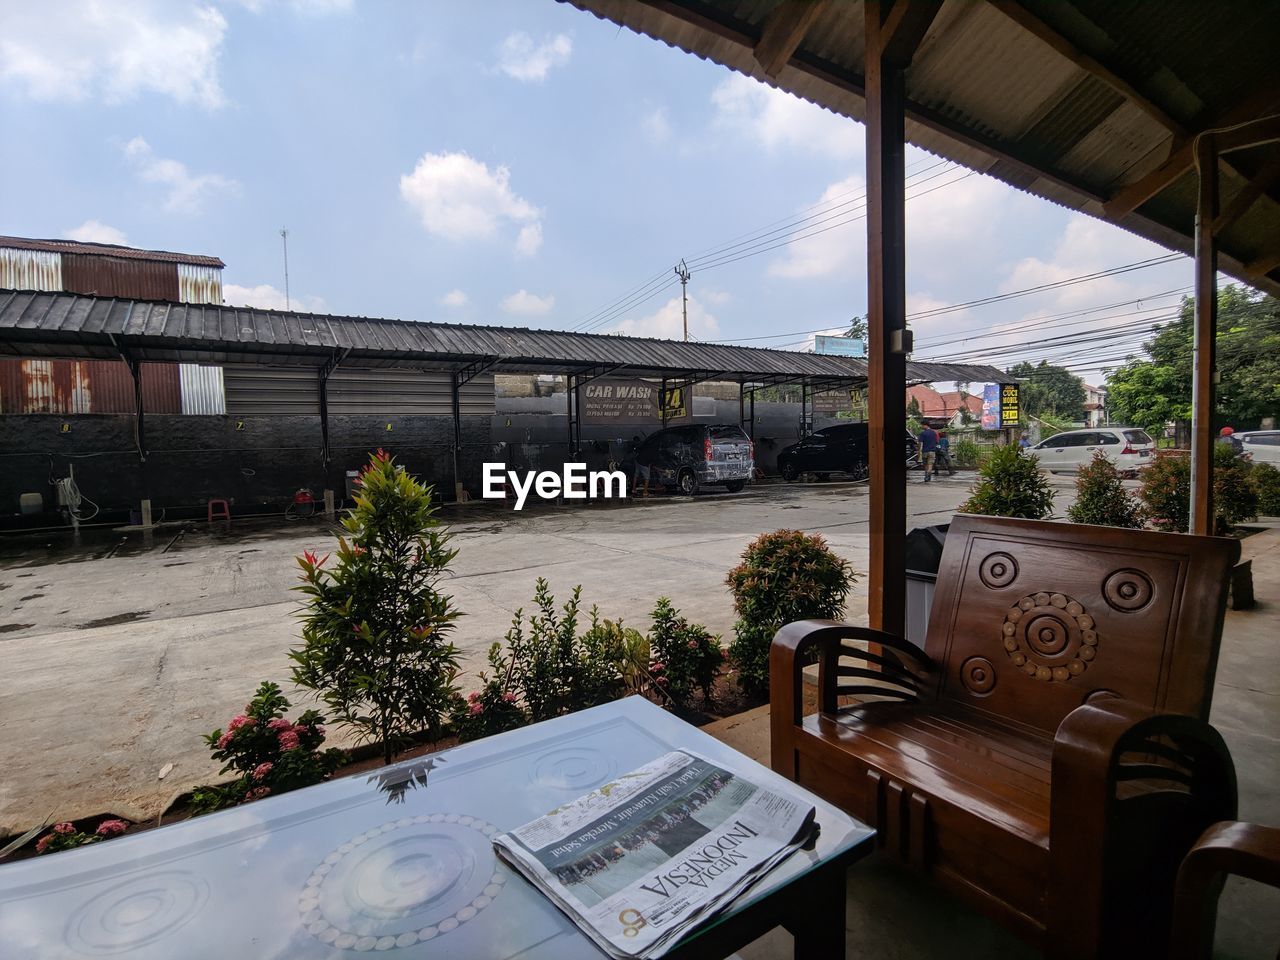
[[1246, 851]]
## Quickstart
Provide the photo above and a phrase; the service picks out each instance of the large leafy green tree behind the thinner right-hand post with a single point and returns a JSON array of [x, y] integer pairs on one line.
[[1154, 390]]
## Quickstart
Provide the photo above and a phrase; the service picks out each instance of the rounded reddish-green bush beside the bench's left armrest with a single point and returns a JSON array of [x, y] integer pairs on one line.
[[784, 577]]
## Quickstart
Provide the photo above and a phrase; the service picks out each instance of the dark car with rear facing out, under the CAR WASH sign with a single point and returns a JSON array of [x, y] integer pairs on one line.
[[701, 455]]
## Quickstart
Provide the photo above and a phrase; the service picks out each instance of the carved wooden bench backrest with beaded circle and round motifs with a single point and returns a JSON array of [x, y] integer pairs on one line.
[[1031, 619]]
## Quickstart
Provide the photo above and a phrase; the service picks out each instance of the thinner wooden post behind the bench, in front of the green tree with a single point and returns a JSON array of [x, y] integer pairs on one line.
[[1205, 368]]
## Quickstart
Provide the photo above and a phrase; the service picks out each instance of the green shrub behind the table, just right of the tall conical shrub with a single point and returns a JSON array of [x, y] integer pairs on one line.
[[555, 670]]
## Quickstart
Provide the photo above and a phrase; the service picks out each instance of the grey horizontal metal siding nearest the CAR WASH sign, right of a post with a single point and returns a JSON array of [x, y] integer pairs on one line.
[[383, 392]]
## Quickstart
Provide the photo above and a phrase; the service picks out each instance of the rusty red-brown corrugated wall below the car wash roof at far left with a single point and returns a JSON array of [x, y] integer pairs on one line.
[[71, 387]]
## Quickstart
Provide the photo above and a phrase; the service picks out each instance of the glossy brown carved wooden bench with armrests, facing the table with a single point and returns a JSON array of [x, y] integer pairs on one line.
[[1048, 756]]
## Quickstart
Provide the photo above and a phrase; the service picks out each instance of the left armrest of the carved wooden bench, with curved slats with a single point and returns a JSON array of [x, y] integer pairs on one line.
[[900, 662]]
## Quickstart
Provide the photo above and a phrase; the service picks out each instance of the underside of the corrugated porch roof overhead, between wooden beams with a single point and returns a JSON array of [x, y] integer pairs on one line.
[[989, 94]]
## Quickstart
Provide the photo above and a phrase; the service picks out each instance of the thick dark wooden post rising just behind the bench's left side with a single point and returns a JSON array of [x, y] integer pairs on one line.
[[886, 322]]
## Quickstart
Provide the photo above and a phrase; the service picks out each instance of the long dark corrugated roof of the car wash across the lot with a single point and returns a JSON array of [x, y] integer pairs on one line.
[[72, 326]]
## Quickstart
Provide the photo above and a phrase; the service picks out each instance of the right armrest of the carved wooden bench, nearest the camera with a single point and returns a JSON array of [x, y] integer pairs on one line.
[[1124, 778]]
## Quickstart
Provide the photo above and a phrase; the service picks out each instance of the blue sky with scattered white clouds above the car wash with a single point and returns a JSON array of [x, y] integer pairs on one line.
[[522, 164]]
